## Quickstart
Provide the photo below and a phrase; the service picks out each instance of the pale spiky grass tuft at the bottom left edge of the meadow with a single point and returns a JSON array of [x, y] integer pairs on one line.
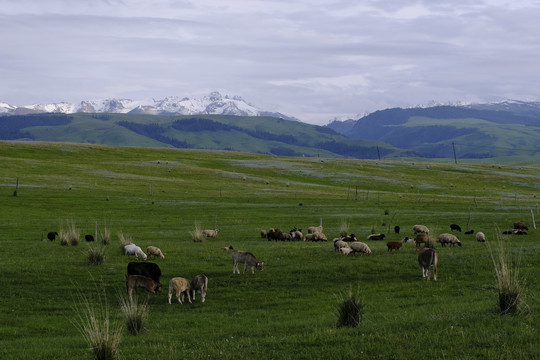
[[101, 334]]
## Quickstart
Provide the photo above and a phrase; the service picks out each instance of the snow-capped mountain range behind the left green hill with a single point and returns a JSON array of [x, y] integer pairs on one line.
[[214, 103]]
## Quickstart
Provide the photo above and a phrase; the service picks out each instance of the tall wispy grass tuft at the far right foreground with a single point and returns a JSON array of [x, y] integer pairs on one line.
[[510, 286]]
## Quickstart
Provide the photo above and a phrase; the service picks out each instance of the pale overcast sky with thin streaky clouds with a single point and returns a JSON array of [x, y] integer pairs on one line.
[[316, 60]]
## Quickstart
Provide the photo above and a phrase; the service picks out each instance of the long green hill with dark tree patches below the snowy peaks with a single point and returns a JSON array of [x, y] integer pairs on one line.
[[264, 135]]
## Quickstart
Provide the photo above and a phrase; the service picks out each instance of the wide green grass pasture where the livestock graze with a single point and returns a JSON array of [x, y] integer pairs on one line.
[[287, 311]]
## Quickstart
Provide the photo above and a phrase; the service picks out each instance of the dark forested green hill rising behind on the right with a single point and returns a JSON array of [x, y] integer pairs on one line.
[[441, 130]]
